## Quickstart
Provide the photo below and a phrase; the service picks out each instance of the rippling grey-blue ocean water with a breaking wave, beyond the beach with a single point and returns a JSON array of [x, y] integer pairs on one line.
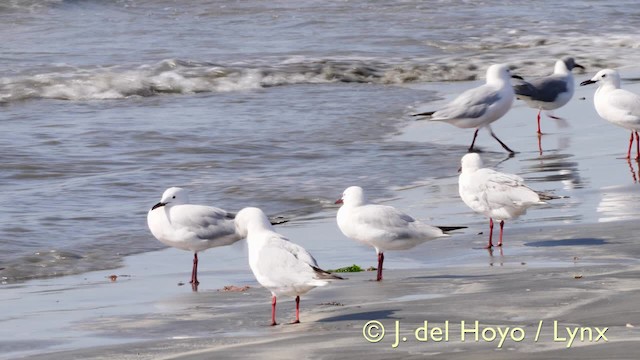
[[278, 104]]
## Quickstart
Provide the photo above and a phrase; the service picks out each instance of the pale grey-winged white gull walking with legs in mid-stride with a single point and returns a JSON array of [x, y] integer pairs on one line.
[[480, 106]]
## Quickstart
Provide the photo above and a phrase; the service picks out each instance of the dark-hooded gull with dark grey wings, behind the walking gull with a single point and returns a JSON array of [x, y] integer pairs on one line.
[[549, 92]]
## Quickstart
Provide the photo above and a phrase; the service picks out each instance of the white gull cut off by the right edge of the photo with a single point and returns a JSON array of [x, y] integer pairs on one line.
[[618, 106]]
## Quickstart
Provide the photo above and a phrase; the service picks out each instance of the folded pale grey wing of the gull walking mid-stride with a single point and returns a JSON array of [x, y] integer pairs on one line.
[[470, 104]]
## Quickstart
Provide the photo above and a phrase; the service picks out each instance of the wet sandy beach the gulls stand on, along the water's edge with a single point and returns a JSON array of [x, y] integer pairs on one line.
[[561, 289]]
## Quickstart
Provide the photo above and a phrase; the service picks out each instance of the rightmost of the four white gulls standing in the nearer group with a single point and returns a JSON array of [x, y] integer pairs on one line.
[[494, 194]]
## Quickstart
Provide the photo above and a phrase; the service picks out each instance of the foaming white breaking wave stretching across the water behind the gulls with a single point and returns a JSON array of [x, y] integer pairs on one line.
[[176, 76]]
